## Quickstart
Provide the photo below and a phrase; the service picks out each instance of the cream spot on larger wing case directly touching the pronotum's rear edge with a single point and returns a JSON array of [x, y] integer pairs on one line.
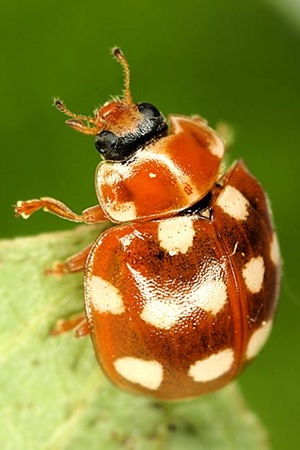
[[176, 235]]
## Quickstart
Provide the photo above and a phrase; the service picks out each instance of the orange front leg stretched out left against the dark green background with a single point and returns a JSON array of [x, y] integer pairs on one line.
[[91, 215]]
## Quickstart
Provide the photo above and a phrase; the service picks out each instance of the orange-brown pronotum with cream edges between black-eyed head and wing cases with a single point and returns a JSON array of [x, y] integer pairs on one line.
[[163, 178]]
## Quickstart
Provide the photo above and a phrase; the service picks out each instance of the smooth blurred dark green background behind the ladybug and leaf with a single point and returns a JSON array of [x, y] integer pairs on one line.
[[230, 61]]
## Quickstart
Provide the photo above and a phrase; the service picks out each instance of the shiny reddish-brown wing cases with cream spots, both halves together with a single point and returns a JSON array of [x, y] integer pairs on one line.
[[178, 306]]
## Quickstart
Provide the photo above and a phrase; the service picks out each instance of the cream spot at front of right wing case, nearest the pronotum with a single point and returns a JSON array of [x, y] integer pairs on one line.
[[233, 203]]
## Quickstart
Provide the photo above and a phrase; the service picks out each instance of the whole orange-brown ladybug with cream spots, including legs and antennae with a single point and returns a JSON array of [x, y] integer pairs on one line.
[[181, 291]]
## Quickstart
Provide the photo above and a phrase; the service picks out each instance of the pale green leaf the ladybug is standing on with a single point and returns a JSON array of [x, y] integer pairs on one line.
[[53, 393]]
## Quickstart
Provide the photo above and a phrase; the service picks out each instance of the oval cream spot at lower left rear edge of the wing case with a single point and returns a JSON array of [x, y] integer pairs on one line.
[[148, 374]]
